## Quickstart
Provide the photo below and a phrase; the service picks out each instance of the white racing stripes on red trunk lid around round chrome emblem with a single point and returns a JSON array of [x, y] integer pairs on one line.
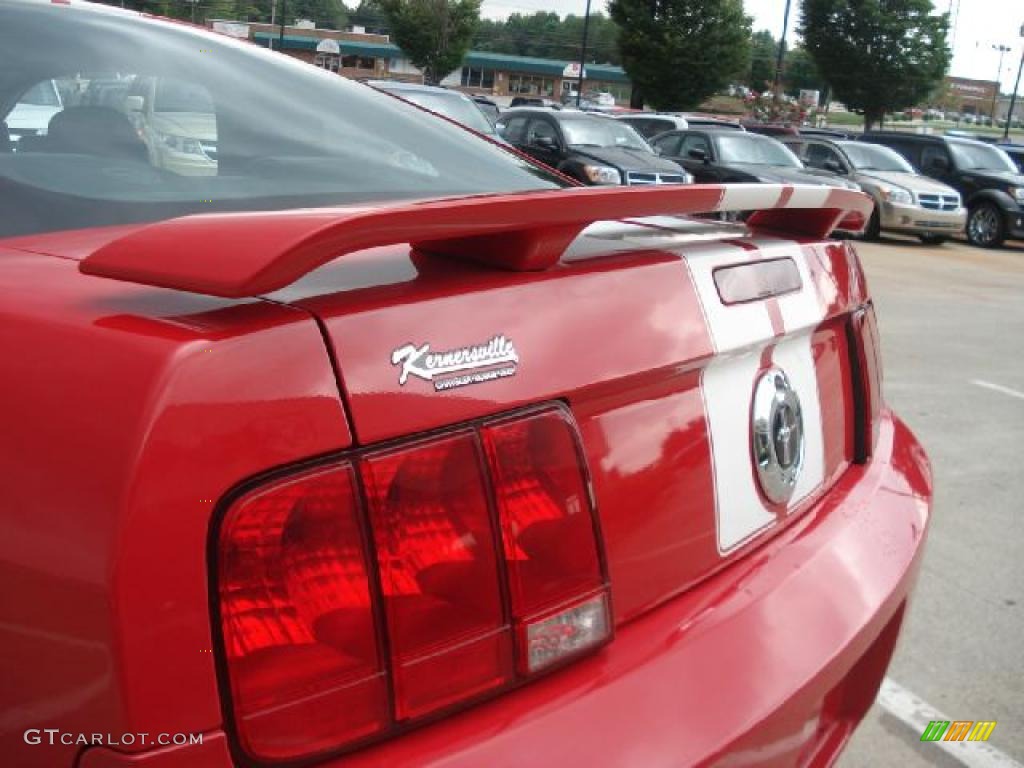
[[740, 334]]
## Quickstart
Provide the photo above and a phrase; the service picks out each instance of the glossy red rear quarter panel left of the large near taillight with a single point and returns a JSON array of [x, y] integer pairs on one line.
[[131, 412]]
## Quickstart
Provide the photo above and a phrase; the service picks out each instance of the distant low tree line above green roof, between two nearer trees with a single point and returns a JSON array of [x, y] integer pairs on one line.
[[547, 36]]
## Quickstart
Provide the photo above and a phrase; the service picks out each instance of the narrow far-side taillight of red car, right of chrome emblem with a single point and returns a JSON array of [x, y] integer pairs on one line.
[[866, 360]]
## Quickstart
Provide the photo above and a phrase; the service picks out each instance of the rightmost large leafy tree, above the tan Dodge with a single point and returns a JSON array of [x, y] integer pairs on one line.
[[879, 56]]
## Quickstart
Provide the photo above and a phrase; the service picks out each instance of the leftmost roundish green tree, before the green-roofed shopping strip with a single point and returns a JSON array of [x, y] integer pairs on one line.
[[435, 34]]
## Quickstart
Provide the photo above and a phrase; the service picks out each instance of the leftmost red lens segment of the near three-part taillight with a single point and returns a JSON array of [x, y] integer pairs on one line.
[[297, 620]]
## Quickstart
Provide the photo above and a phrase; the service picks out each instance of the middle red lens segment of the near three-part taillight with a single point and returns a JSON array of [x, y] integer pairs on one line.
[[436, 546]]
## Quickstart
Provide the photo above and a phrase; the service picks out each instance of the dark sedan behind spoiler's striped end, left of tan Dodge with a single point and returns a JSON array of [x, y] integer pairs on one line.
[[720, 157]]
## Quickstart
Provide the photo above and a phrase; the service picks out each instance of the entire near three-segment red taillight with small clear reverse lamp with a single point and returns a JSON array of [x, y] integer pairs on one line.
[[451, 569]]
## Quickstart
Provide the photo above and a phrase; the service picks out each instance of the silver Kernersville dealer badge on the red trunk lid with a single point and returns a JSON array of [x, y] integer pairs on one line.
[[457, 368]]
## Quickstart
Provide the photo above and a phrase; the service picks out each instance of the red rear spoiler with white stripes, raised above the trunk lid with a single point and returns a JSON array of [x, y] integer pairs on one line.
[[248, 254]]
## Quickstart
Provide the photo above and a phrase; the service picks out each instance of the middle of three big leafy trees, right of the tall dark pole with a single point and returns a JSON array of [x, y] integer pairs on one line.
[[679, 53]]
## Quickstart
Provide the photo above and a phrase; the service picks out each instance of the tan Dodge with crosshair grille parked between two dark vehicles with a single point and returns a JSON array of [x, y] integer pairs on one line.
[[906, 202]]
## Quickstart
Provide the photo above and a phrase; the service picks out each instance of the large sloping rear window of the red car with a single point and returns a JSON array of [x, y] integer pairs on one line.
[[253, 132]]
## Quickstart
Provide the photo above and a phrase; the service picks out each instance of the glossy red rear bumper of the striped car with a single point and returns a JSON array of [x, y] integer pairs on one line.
[[772, 662]]
